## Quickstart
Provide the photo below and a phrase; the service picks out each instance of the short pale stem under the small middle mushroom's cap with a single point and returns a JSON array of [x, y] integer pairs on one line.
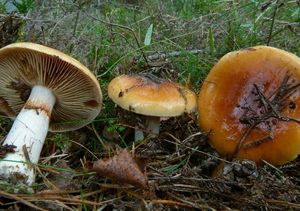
[[152, 124]]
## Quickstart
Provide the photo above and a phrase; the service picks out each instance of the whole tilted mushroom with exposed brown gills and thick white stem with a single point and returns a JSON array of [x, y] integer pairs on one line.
[[39, 85]]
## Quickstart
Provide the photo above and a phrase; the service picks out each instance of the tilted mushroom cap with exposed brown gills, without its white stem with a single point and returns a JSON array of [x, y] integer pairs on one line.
[[77, 91]]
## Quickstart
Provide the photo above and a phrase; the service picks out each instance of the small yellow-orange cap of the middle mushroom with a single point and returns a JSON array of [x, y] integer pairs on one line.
[[148, 95]]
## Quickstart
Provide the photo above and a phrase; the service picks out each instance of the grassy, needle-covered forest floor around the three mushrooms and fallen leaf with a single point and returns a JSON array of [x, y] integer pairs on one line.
[[178, 40]]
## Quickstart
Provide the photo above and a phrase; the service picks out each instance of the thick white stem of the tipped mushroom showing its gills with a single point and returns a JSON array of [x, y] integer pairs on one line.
[[28, 134]]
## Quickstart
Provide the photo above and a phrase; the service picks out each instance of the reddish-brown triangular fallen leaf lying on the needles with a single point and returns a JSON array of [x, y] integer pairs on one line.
[[122, 168]]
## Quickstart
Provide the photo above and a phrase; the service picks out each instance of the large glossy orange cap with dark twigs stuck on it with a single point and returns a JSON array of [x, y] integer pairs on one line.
[[227, 95]]
